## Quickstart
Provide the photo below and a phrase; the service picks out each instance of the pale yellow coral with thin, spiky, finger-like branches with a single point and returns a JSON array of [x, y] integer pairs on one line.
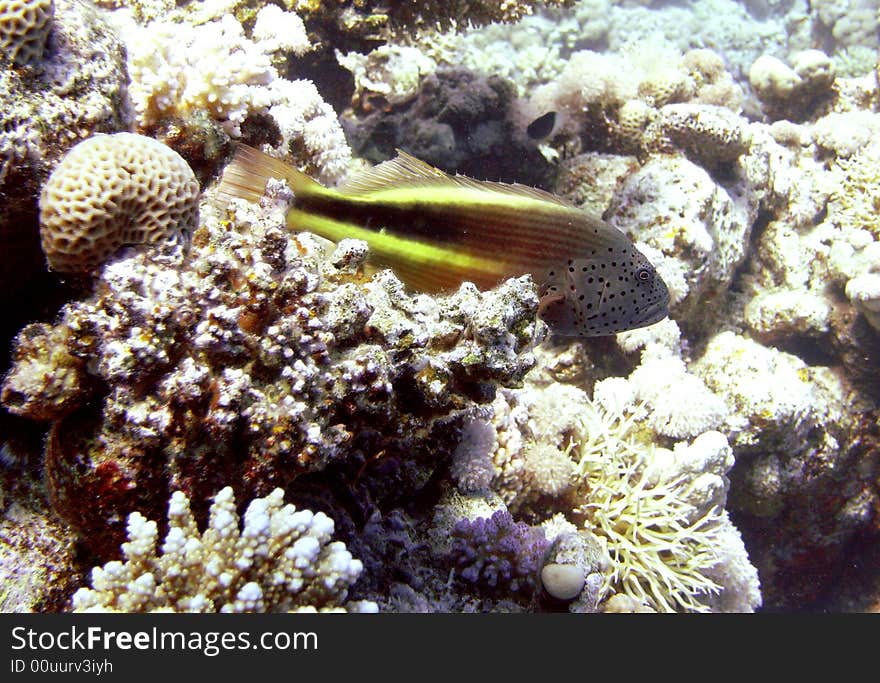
[[660, 544]]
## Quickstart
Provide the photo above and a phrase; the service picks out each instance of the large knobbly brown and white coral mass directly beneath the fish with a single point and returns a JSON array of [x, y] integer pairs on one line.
[[260, 356]]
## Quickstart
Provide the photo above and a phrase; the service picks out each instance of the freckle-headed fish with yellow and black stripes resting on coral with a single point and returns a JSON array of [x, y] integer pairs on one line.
[[435, 231]]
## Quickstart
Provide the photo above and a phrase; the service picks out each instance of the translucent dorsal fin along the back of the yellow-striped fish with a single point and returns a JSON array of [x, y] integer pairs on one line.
[[406, 171]]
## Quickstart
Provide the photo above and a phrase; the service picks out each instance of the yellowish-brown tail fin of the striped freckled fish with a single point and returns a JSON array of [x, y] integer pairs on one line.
[[250, 169]]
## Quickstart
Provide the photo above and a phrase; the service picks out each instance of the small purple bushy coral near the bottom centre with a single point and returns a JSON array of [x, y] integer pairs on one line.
[[497, 553]]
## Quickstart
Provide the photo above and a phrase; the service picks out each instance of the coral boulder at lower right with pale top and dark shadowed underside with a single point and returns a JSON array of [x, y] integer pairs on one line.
[[801, 463]]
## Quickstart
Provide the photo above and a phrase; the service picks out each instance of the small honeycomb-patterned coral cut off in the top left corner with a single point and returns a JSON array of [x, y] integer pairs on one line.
[[24, 29]]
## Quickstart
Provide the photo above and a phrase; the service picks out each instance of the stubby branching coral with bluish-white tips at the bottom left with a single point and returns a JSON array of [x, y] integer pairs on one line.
[[281, 560]]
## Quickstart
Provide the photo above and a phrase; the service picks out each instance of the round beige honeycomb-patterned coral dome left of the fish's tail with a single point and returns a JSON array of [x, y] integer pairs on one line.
[[112, 190]]
